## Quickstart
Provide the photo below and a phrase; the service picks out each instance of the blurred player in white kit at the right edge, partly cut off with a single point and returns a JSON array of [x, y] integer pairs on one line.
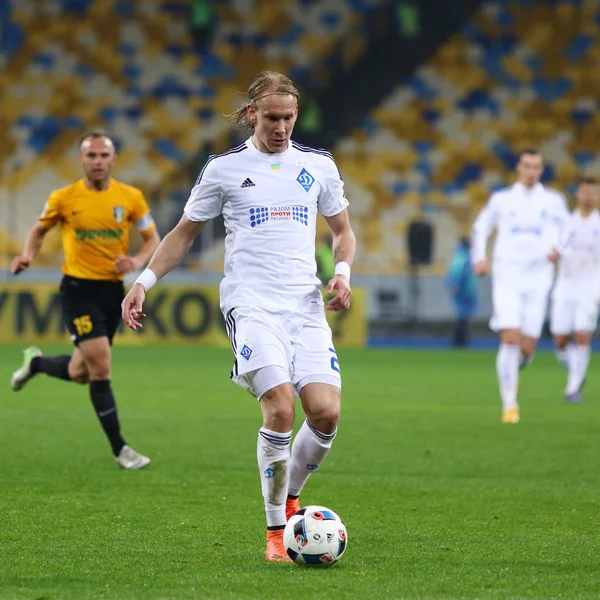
[[577, 290]]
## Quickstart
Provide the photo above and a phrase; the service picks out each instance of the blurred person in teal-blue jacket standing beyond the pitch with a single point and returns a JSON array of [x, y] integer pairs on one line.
[[462, 286]]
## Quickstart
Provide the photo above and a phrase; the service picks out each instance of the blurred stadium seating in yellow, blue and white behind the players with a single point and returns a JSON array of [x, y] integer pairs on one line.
[[521, 73]]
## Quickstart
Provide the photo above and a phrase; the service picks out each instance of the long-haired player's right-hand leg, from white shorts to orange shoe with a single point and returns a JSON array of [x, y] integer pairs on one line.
[[318, 383]]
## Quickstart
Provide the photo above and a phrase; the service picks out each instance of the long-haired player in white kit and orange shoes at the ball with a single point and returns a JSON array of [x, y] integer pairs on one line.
[[270, 191]]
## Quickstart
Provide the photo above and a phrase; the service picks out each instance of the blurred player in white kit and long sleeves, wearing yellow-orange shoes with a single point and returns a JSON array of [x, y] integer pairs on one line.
[[532, 232]]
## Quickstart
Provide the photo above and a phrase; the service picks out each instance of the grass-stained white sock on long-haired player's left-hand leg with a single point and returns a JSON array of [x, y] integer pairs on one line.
[[273, 453]]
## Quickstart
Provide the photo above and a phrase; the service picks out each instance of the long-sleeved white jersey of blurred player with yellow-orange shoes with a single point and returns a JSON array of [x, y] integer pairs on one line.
[[529, 223]]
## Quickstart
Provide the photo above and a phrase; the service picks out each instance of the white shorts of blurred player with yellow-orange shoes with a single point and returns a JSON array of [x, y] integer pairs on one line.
[[519, 309]]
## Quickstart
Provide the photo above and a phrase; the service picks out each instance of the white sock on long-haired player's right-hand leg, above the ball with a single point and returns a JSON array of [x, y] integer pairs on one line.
[[308, 452]]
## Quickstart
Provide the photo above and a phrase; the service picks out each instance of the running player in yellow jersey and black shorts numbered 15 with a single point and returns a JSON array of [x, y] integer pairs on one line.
[[96, 214]]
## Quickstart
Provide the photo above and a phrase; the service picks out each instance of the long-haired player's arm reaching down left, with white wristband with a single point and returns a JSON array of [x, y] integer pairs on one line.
[[168, 255]]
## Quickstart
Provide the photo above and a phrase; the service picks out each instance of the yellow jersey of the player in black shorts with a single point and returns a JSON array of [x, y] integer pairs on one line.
[[96, 226]]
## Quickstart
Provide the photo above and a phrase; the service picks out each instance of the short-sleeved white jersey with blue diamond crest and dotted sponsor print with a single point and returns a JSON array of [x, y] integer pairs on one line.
[[269, 204]]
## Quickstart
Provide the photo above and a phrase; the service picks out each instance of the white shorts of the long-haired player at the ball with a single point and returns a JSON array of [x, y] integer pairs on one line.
[[300, 343]]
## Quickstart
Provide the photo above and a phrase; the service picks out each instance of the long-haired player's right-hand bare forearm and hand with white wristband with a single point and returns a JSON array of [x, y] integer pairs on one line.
[[344, 250]]
